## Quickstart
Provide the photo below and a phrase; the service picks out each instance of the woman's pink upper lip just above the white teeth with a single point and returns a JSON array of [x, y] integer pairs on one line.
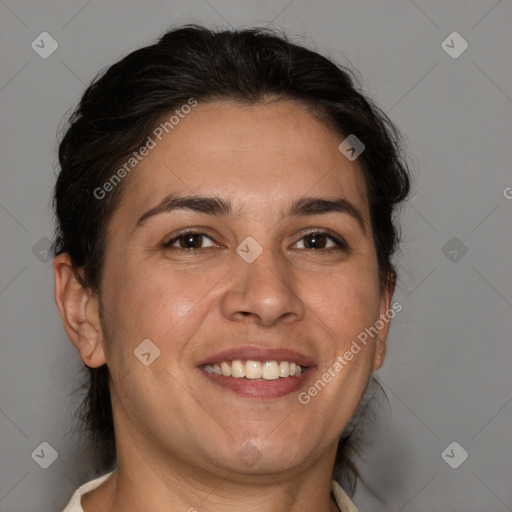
[[254, 353]]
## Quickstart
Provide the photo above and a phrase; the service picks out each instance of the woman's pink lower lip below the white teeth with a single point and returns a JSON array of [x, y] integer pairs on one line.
[[259, 388]]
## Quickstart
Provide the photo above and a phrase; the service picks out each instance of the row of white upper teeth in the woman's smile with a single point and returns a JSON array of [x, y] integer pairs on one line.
[[269, 370]]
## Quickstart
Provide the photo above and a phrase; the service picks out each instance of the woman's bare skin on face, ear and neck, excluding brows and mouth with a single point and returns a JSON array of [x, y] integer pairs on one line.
[[178, 435]]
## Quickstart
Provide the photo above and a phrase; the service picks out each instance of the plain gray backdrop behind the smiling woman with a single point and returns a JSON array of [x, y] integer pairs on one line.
[[448, 373]]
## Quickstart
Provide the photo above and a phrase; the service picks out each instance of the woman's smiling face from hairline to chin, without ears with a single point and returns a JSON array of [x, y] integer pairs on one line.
[[285, 270]]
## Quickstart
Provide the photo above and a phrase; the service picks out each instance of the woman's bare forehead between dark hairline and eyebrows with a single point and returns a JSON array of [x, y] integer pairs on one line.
[[257, 156]]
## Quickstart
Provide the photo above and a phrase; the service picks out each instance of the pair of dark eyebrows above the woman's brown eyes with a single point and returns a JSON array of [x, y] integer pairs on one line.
[[218, 206]]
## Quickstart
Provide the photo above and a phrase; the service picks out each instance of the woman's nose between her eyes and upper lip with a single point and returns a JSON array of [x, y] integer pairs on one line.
[[262, 293]]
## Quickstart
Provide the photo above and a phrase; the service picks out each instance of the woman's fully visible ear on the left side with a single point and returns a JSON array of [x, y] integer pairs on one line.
[[79, 311]]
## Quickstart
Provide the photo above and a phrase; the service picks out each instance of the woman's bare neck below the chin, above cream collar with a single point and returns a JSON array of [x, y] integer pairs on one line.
[[146, 481]]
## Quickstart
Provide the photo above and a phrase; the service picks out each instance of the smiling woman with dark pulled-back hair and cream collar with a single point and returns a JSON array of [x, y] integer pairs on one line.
[[223, 267]]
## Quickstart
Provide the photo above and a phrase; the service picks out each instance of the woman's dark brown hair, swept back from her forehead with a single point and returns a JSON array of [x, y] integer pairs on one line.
[[122, 106]]
